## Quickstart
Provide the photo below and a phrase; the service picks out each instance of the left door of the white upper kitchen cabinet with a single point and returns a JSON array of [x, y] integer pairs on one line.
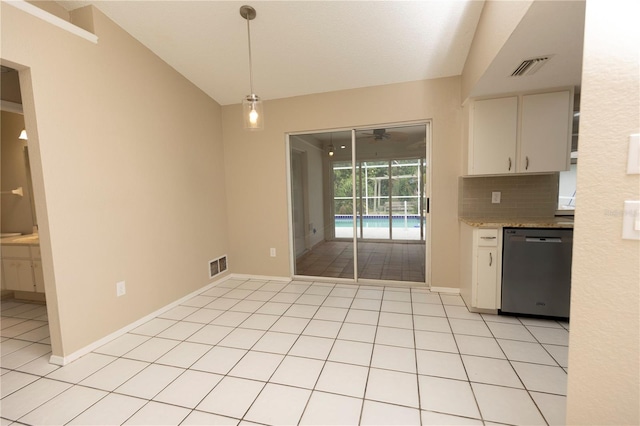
[[494, 136]]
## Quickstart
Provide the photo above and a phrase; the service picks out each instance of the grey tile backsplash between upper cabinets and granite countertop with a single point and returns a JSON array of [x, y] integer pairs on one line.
[[522, 196]]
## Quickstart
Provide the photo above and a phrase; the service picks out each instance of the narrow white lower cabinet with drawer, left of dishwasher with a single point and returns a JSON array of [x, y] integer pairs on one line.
[[480, 250]]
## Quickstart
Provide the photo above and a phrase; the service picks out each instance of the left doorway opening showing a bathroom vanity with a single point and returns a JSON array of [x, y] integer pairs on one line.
[[23, 288]]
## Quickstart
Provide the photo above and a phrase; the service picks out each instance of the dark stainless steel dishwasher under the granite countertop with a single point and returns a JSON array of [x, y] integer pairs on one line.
[[536, 271]]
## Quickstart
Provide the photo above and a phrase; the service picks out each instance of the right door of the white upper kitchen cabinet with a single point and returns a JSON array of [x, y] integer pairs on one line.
[[545, 138]]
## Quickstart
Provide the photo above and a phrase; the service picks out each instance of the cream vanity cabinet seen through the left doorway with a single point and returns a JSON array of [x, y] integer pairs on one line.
[[22, 268]]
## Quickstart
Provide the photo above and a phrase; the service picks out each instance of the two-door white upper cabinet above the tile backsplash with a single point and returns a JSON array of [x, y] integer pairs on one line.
[[521, 134]]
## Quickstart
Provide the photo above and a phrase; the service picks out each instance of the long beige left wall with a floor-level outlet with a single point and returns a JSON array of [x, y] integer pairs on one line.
[[128, 175]]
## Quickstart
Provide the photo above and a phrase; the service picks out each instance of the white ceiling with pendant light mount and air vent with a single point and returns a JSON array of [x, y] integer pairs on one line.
[[304, 47]]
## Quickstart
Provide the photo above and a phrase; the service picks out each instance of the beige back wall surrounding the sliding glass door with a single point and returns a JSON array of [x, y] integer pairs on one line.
[[256, 166]]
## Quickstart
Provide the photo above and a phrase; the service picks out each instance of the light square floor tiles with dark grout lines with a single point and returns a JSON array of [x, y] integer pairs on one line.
[[264, 352]]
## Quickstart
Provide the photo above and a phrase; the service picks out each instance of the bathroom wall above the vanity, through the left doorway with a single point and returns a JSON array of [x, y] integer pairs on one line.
[[15, 211]]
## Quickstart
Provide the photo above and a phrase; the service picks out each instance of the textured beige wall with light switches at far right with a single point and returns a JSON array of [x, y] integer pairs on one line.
[[604, 374]]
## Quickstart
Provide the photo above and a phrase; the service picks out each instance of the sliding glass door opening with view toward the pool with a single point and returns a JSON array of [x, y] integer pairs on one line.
[[360, 203]]
